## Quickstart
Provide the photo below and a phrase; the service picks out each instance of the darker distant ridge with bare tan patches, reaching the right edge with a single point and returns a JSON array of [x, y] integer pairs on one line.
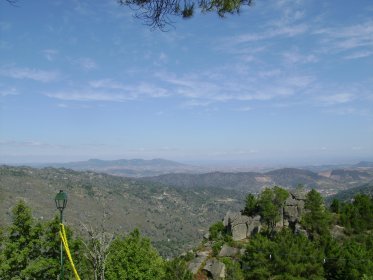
[[327, 183]]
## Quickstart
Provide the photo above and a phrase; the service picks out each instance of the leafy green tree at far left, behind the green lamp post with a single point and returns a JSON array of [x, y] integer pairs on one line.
[[31, 250]]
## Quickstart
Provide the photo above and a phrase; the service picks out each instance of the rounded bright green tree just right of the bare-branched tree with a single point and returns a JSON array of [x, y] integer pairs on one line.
[[133, 257]]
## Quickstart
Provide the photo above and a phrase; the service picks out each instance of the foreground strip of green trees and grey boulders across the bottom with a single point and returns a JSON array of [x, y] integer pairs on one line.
[[335, 243]]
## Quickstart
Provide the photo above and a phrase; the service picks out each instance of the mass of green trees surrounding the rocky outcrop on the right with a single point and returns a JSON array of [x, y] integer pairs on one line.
[[320, 252]]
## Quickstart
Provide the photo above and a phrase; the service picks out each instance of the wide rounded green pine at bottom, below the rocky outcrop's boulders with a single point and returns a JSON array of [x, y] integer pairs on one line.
[[287, 256]]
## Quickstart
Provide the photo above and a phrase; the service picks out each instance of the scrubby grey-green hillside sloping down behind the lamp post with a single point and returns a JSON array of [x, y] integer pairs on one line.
[[174, 218]]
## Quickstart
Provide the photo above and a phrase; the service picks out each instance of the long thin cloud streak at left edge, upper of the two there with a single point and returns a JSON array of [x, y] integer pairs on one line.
[[28, 73]]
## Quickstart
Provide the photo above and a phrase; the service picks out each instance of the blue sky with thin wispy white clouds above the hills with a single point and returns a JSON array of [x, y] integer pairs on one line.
[[285, 82]]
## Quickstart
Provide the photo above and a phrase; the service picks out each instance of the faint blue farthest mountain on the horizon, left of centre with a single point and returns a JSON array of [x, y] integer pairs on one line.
[[126, 167]]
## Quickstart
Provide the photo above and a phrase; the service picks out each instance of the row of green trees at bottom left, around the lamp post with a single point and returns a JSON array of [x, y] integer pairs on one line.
[[31, 250]]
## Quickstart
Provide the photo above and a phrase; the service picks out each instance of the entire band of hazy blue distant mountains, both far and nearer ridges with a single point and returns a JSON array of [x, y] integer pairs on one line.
[[327, 179]]
